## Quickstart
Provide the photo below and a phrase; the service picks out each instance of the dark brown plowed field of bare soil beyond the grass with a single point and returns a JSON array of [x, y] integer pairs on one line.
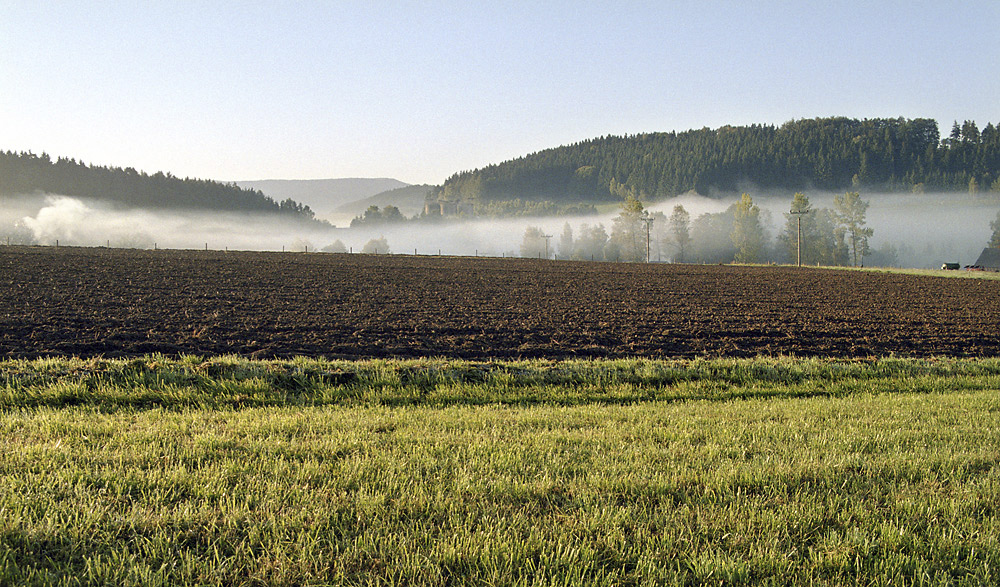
[[87, 302]]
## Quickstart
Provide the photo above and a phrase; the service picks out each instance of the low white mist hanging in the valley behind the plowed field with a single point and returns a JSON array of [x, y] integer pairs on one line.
[[917, 230]]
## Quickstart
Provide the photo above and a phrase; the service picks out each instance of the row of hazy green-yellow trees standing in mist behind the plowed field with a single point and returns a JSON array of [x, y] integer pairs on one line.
[[835, 236]]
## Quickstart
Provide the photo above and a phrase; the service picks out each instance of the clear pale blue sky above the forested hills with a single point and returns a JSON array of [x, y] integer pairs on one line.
[[241, 90]]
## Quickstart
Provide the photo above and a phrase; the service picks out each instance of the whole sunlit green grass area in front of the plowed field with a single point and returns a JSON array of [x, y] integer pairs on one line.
[[307, 472]]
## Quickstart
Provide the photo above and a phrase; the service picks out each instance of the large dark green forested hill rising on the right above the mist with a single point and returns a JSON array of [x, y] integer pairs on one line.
[[895, 154]]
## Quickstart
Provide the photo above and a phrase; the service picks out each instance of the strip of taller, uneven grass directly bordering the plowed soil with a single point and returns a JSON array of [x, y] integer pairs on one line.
[[234, 382]]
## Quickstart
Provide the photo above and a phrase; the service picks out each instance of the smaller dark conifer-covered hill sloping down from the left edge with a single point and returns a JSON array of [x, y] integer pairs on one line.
[[27, 173]]
